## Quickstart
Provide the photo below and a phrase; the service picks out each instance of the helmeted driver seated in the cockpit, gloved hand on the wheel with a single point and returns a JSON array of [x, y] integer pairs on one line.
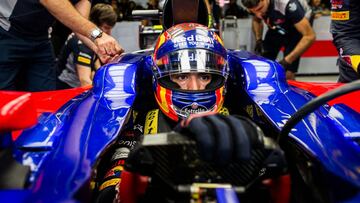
[[190, 72]]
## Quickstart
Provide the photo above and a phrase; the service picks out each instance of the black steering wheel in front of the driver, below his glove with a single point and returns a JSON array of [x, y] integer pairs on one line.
[[167, 166]]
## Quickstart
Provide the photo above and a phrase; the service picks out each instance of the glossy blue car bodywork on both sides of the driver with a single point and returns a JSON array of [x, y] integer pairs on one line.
[[63, 148]]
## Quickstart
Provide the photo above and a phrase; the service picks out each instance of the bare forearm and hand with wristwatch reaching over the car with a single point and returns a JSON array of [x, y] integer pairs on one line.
[[69, 16]]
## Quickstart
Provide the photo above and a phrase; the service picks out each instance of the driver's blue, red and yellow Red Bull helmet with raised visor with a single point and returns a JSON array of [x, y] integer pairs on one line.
[[189, 48]]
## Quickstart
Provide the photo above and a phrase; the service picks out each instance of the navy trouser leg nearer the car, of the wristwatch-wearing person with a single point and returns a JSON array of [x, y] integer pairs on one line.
[[40, 73]]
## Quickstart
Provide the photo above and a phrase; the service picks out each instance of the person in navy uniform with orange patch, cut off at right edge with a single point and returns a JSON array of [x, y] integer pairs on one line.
[[345, 29]]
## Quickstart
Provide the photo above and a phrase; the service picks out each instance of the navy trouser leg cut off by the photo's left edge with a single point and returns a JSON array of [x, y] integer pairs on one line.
[[9, 60]]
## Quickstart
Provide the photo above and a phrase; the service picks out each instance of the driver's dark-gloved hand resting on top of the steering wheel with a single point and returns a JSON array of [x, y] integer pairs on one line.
[[222, 139]]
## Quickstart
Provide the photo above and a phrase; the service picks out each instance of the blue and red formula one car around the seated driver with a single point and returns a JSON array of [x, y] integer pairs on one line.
[[52, 144]]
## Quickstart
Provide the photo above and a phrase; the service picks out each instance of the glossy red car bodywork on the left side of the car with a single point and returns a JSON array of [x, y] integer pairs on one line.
[[19, 110]]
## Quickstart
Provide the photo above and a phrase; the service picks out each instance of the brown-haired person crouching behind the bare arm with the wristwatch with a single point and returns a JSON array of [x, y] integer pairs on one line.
[[77, 62]]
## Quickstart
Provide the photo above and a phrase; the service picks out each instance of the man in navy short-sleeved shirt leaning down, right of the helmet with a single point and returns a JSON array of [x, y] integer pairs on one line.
[[288, 26]]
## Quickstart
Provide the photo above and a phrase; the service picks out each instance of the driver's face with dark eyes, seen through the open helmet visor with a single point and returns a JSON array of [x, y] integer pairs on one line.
[[191, 81]]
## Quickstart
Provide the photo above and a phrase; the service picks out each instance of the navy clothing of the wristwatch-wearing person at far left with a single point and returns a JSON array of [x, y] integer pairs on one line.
[[25, 45]]
